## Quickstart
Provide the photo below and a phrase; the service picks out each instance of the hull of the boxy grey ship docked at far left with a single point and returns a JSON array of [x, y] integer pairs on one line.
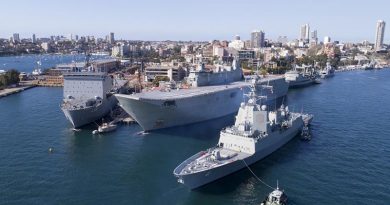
[[81, 117]]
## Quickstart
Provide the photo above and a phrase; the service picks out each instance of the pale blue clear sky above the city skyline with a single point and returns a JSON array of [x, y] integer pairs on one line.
[[200, 20]]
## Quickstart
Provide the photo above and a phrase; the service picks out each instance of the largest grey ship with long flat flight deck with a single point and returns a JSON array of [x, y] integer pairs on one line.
[[209, 95]]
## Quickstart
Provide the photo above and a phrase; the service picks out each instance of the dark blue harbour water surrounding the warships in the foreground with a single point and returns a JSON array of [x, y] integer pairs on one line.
[[346, 162]]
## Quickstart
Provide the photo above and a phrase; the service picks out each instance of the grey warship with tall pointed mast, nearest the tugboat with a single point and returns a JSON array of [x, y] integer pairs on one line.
[[257, 132]]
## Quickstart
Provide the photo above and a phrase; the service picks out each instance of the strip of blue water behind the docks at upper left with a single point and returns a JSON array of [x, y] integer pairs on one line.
[[27, 63]]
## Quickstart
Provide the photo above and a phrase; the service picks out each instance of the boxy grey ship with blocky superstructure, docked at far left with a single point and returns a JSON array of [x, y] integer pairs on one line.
[[87, 96]]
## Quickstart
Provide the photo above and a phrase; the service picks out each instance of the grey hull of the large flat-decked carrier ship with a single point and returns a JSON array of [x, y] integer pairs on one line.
[[150, 114]]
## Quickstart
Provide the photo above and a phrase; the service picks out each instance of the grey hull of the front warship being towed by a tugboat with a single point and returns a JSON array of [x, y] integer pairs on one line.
[[264, 148]]
